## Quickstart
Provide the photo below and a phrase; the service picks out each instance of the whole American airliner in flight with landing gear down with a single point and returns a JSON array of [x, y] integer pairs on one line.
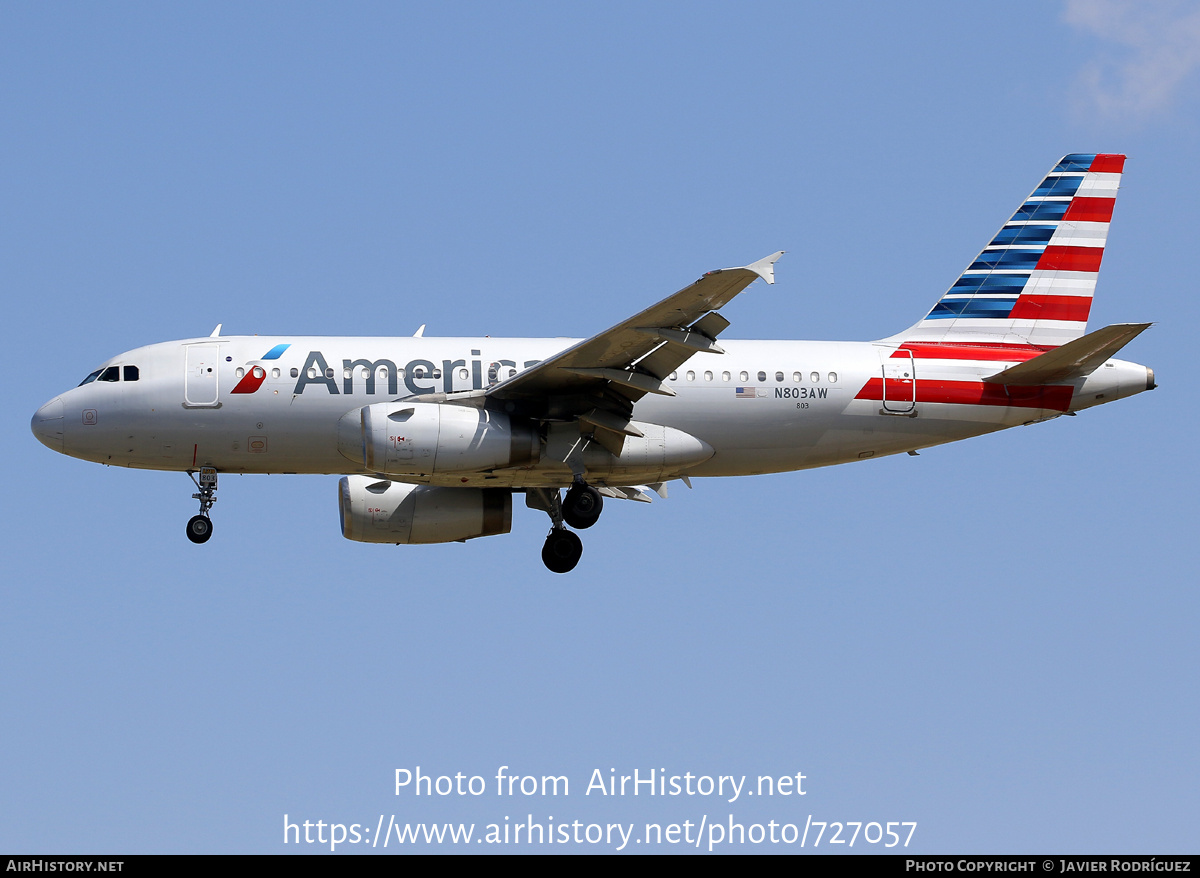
[[434, 437]]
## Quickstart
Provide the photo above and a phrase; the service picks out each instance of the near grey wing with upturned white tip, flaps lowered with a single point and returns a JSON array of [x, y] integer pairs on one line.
[[598, 381]]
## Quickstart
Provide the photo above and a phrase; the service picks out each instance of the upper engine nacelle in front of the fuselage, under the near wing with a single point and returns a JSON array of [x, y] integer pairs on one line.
[[412, 438]]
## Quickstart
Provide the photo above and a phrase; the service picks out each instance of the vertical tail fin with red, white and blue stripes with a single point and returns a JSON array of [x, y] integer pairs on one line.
[[1034, 284]]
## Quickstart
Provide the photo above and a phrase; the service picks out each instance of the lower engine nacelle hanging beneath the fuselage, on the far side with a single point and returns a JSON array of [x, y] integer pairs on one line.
[[383, 512]]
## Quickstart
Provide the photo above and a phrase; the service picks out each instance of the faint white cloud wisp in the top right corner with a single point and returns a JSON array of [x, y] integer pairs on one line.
[[1151, 55]]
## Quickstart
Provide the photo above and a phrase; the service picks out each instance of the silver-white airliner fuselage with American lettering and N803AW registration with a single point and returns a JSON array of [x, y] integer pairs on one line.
[[763, 407]]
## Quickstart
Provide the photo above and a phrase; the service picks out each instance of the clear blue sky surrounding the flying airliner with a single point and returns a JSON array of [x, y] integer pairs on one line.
[[995, 640]]
